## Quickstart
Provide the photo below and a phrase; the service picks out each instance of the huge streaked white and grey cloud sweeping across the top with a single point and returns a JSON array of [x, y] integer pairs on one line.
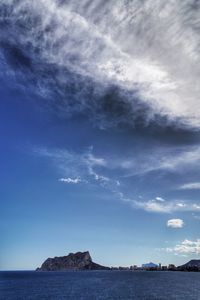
[[122, 46]]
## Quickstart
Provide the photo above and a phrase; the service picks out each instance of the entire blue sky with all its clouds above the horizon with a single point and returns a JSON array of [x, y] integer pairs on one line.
[[100, 131]]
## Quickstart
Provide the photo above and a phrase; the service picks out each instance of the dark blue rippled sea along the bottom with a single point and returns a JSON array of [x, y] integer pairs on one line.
[[99, 285]]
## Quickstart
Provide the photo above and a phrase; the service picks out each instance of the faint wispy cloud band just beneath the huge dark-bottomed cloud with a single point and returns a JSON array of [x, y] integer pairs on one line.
[[172, 159]]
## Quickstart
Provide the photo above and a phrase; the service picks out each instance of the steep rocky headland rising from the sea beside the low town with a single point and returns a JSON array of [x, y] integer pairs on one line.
[[73, 261]]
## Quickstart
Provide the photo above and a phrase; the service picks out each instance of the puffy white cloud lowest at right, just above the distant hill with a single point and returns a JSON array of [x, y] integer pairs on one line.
[[186, 247]]
